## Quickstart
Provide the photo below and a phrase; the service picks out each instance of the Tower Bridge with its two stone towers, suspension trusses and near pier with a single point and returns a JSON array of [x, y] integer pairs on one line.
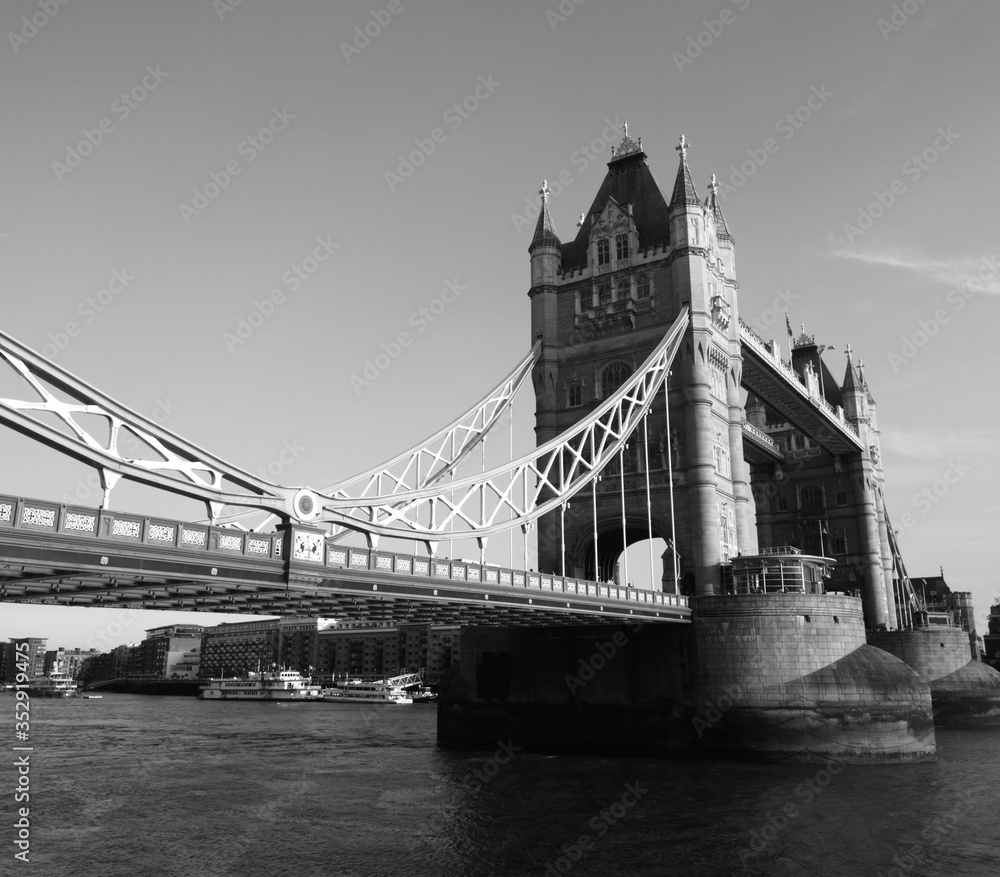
[[659, 414]]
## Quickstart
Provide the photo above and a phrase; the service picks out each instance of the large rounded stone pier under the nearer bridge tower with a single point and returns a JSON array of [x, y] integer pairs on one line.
[[758, 677]]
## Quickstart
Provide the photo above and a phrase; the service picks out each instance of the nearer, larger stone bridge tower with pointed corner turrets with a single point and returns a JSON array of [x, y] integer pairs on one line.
[[600, 303]]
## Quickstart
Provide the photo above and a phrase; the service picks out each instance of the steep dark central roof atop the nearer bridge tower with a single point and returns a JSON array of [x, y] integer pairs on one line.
[[629, 181]]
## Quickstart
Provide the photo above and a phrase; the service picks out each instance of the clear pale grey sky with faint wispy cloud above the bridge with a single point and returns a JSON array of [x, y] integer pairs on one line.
[[168, 166]]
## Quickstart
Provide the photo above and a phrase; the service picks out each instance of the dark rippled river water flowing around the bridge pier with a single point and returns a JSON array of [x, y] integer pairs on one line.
[[135, 785]]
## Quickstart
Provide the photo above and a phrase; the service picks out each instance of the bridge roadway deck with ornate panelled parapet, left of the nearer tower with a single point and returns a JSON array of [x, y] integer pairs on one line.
[[75, 556]]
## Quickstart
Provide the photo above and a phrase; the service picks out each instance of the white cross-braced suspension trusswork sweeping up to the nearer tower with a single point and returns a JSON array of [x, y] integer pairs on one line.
[[402, 498]]
